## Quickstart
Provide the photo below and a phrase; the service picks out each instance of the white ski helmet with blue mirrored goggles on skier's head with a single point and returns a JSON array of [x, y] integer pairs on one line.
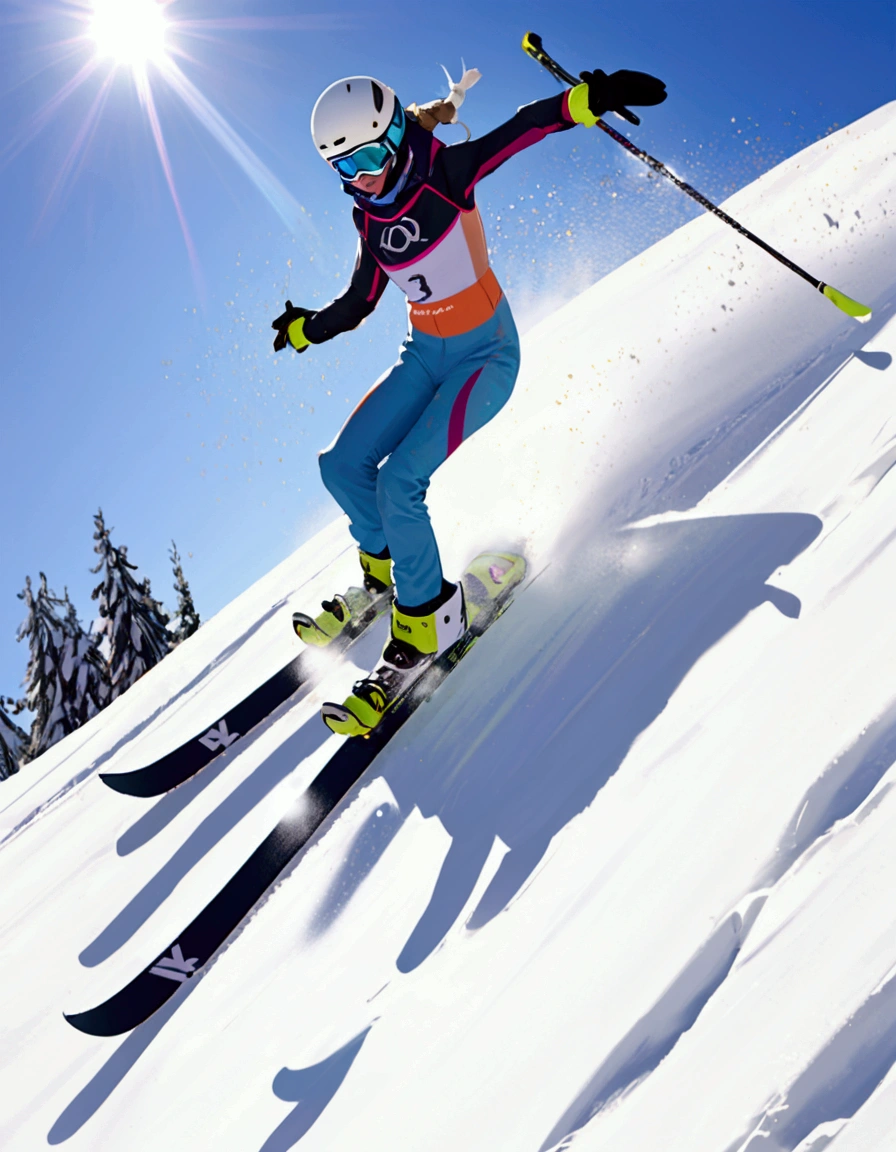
[[358, 126]]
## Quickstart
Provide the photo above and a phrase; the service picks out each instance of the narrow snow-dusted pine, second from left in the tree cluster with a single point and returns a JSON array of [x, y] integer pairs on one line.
[[45, 694]]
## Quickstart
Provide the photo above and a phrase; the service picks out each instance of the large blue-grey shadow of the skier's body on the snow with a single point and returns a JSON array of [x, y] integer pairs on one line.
[[591, 674]]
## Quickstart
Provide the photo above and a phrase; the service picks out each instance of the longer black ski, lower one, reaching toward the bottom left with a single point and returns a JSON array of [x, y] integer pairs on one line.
[[198, 944]]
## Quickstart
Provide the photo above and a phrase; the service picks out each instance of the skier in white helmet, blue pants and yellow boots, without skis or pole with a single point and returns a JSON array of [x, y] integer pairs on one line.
[[415, 211]]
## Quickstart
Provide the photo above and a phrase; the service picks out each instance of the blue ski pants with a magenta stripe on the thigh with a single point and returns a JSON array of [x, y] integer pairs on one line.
[[378, 469]]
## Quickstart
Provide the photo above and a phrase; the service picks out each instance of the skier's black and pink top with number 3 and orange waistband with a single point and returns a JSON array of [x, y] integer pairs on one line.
[[430, 240]]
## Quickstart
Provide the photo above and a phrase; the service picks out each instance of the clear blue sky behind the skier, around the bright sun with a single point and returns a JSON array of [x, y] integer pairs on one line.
[[140, 378]]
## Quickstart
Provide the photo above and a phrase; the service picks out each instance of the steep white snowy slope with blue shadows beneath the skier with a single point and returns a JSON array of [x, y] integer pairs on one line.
[[627, 882]]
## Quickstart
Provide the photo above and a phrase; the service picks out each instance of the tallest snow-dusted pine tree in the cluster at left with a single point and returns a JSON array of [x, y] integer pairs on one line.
[[133, 625]]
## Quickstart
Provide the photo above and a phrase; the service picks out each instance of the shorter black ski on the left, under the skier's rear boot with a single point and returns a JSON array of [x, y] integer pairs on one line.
[[185, 762]]
